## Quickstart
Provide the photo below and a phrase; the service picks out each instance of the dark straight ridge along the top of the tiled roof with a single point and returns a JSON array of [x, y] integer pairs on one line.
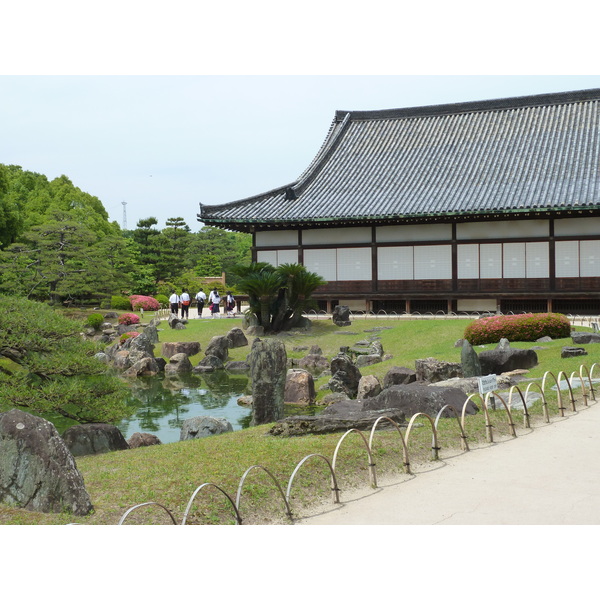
[[472, 106]]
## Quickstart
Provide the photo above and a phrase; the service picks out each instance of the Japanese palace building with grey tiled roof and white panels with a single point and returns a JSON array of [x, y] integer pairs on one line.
[[478, 206]]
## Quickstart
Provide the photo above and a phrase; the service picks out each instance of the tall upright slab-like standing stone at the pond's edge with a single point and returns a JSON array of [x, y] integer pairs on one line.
[[268, 371]]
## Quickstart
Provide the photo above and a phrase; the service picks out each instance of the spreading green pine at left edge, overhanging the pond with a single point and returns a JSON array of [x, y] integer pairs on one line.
[[57, 371]]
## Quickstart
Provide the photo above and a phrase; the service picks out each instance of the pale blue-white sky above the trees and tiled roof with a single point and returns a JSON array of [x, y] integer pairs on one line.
[[162, 144]]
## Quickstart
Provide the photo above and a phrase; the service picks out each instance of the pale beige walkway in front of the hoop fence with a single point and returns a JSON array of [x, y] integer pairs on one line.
[[549, 475]]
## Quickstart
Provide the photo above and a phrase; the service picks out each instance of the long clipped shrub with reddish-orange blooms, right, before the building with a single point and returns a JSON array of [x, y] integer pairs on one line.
[[517, 328]]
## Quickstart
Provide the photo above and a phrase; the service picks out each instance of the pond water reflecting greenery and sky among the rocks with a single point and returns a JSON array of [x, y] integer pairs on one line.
[[162, 404]]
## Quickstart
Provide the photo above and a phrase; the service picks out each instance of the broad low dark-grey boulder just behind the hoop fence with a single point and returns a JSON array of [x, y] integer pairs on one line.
[[414, 398]]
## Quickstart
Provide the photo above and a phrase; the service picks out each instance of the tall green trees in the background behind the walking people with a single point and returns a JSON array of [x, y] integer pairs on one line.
[[57, 245]]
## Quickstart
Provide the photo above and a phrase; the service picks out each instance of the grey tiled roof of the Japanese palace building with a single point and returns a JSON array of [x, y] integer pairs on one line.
[[498, 156]]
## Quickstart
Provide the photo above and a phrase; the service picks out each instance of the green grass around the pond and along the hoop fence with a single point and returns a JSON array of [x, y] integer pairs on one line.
[[170, 473]]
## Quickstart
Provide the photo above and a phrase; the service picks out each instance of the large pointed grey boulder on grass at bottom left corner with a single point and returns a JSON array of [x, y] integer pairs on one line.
[[37, 471]]
